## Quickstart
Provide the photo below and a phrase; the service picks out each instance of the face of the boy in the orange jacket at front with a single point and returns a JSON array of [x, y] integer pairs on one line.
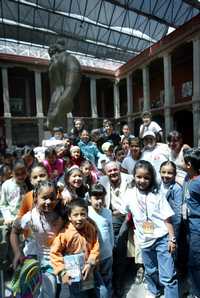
[[78, 217]]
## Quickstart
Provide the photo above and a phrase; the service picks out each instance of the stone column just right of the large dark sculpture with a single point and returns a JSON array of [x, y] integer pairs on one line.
[[93, 101]]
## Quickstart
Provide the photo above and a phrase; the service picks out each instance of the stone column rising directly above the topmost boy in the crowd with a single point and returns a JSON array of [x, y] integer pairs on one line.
[[146, 88]]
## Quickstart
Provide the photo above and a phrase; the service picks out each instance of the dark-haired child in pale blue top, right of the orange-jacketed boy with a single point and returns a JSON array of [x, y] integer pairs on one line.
[[103, 219]]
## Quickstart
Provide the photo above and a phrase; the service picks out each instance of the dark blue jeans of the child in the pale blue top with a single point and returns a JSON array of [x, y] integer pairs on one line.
[[103, 279]]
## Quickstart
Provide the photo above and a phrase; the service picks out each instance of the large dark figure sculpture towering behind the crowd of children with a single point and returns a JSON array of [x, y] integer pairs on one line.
[[65, 78]]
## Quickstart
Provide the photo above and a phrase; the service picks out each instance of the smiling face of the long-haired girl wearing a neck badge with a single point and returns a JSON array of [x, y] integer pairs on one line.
[[142, 179]]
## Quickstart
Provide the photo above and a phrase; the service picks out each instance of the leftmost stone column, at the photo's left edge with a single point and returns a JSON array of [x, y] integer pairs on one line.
[[6, 103]]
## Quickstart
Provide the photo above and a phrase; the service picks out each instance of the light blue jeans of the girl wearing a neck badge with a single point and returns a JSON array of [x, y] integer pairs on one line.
[[159, 268]]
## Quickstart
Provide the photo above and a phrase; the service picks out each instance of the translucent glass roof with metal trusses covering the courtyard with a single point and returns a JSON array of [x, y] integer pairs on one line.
[[106, 33]]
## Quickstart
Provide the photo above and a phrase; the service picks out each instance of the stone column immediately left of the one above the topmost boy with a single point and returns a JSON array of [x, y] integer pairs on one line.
[[129, 87]]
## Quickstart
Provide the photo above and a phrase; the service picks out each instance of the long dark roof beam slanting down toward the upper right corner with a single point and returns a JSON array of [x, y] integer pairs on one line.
[[140, 12]]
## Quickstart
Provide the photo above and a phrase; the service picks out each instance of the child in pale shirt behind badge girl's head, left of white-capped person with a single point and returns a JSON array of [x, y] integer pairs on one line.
[[129, 162]]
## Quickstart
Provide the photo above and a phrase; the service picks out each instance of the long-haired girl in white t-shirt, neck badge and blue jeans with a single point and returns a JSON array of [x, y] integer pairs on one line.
[[151, 215]]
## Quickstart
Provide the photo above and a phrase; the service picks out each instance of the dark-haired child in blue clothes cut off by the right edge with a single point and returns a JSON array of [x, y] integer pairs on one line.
[[192, 214]]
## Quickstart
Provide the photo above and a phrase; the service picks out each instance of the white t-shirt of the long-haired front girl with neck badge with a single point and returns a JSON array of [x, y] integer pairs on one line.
[[155, 206]]
